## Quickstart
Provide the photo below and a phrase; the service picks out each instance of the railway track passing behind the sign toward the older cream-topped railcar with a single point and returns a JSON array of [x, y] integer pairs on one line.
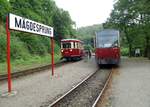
[[32, 70]]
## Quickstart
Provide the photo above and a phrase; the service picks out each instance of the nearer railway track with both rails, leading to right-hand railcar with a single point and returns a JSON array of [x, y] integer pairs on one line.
[[85, 93]]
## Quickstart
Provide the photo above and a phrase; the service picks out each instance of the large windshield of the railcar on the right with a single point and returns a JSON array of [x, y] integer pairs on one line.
[[107, 39]]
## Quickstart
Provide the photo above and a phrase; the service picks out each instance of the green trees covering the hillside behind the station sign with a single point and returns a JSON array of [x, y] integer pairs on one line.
[[43, 11]]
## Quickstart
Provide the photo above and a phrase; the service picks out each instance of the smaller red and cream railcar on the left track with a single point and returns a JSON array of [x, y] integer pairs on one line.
[[71, 49]]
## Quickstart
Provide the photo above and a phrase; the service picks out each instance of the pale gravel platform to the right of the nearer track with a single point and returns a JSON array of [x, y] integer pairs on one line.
[[131, 84]]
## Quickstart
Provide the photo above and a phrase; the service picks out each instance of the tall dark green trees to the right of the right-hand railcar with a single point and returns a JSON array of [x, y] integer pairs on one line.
[[132, 17]]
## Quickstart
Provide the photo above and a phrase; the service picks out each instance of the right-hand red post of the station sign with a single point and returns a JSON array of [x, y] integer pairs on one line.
[[52, 55]]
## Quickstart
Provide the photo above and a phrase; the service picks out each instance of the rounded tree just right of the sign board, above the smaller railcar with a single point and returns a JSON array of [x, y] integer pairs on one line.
[[63, 25]]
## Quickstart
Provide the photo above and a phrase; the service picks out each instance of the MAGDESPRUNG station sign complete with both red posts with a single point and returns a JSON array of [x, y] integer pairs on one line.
[[14, 22]]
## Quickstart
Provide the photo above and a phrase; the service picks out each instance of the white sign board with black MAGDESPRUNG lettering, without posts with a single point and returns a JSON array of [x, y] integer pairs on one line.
[[27, 25]]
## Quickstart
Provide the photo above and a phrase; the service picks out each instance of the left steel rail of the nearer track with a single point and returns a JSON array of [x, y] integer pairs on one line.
[[71, 90]]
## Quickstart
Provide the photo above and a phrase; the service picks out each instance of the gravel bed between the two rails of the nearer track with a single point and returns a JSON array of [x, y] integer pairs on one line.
[[86, 94]]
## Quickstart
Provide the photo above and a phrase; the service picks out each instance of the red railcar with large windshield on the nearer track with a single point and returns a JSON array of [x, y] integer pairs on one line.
[[107, 47]]
